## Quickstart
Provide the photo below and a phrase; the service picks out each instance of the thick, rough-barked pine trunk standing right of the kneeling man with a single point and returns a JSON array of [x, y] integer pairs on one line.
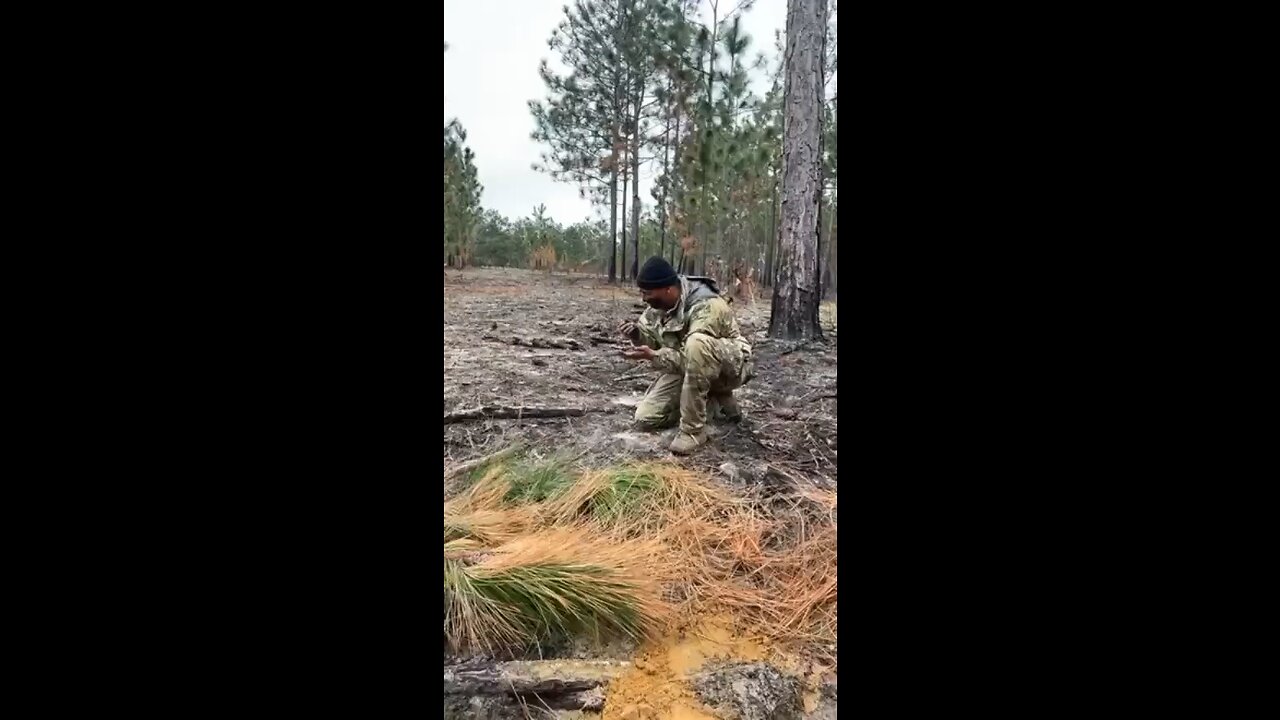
[[798, 291]]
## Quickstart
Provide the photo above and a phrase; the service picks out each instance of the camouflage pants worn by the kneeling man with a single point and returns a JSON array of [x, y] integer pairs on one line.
[[712, 367]]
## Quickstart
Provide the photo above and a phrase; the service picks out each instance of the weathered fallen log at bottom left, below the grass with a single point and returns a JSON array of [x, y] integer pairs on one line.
[[561, 685]]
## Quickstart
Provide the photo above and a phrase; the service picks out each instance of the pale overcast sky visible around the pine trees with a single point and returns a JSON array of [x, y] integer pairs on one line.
[[491, 75]]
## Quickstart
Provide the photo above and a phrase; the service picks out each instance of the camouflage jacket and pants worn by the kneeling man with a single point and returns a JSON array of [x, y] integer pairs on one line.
[[701, 353]]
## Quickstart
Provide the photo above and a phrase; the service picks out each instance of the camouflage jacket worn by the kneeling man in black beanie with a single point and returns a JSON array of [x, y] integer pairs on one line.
[[701, 311]]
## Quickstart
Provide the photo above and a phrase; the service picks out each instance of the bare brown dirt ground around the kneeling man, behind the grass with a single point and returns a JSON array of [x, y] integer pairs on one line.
[[569, 358]]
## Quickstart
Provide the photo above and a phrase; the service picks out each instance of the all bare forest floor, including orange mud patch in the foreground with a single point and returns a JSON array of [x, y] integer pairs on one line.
[[519, 340]]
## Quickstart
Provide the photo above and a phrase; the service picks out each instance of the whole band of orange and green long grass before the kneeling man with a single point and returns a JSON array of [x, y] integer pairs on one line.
[[537, 552]]
